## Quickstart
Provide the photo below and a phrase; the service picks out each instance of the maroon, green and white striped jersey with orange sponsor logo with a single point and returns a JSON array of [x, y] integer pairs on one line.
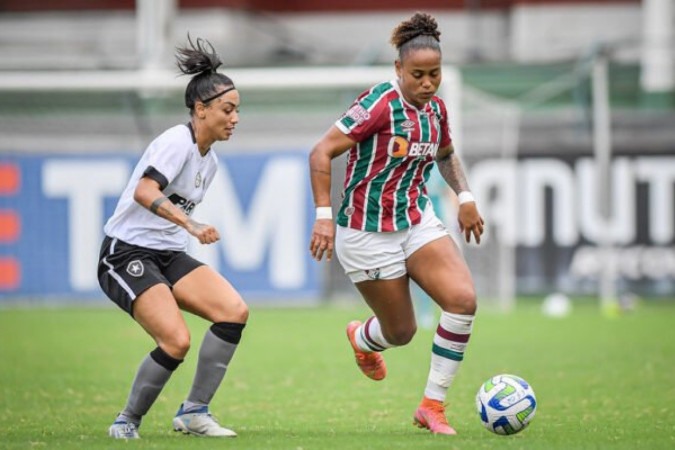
[[384, 186]]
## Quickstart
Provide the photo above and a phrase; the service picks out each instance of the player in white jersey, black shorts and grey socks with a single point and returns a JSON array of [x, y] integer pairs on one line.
[[144, 267]]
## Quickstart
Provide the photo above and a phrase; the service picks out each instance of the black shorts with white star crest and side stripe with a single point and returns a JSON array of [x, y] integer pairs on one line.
[[125, 271]]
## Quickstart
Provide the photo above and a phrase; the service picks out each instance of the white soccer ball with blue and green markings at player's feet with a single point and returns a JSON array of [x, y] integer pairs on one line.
[[506, 404]]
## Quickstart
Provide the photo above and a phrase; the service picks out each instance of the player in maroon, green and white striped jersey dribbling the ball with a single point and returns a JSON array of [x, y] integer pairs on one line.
[[387, 232]]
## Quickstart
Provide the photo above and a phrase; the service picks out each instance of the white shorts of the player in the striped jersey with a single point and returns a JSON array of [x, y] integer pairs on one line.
[[367, 255]]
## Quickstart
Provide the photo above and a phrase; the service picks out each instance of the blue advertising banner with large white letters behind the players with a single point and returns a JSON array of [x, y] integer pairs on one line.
[[53, 207]]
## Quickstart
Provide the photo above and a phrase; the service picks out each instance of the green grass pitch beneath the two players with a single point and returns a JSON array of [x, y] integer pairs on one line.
[[600, 382]]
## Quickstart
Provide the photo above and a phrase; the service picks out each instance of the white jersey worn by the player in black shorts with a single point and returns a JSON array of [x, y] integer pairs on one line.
[[174, 161]]
